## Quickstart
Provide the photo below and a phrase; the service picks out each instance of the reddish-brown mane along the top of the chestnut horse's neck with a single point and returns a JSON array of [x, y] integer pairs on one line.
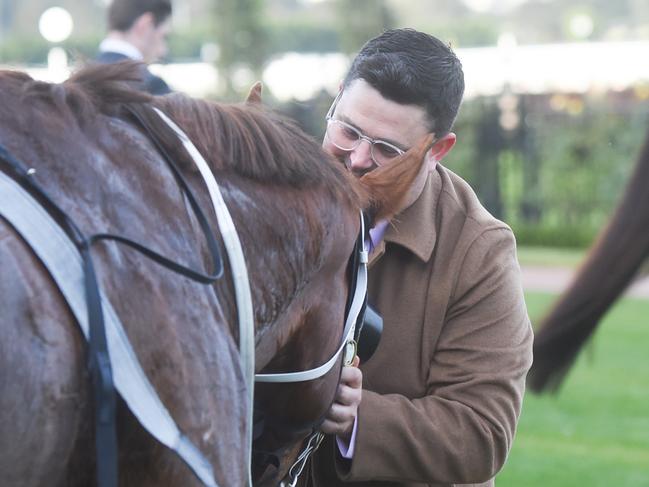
[[247, 139]]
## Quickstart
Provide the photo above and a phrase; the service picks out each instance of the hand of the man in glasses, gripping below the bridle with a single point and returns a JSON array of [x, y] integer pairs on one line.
[[342, 414]]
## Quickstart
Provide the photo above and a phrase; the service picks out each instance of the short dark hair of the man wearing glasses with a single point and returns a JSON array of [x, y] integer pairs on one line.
[[414, 68]]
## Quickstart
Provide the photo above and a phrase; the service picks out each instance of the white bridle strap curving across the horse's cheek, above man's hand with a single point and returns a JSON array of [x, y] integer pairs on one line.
[[348, 332]]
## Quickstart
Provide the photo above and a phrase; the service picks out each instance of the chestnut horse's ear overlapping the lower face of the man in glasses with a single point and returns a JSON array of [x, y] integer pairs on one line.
[[388, 185]]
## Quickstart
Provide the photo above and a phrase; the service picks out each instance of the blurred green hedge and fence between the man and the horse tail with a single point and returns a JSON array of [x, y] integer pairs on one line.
[[557, 172]]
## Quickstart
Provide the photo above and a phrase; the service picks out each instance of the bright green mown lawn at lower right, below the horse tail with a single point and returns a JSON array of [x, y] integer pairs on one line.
[[595, 432]]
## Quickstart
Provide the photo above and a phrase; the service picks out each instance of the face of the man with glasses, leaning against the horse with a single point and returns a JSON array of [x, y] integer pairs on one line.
[[378, 118]]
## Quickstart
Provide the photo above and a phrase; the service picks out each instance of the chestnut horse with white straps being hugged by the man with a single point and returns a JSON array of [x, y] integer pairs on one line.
[[296, 211]]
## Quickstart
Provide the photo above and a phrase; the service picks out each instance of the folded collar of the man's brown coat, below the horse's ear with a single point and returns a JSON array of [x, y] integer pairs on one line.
[[414, 227]]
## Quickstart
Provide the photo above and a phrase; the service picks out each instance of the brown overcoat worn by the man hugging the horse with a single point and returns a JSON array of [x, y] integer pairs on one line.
[[443, 392]]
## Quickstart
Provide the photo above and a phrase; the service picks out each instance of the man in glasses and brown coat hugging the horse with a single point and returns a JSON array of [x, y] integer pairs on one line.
[[438, 402]]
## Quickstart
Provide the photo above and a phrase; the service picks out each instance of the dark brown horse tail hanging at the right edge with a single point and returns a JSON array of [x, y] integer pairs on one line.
[[611, 265]]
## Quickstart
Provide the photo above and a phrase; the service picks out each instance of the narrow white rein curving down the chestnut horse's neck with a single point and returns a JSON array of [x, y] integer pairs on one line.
[[239, 274]]
